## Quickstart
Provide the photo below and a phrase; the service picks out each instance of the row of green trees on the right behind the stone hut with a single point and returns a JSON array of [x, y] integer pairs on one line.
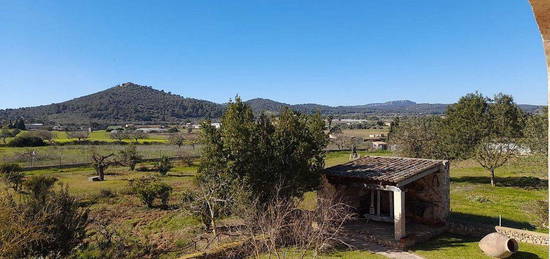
[[489, 130]]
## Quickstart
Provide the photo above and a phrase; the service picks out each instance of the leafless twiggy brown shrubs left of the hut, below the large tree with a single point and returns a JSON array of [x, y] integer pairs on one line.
[[282, 225]]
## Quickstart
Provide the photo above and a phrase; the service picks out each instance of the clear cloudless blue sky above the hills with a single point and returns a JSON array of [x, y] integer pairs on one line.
[[317, 51]]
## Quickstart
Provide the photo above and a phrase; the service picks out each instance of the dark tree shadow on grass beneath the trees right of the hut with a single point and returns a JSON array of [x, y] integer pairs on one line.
[[520, 182]]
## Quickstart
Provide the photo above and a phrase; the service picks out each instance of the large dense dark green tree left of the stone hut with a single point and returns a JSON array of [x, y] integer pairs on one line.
[[261, 155]]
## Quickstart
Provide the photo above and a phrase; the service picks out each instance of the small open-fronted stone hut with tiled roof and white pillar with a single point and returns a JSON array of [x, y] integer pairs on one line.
[[402, 191]]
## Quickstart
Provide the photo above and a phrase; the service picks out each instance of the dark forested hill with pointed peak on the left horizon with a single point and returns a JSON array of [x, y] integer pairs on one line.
[[124, 103]]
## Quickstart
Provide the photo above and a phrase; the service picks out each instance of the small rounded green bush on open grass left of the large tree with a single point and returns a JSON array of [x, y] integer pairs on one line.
[[150, 188]]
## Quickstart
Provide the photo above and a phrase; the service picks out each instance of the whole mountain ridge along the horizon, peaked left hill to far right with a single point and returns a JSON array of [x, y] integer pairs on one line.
[[133, 103]]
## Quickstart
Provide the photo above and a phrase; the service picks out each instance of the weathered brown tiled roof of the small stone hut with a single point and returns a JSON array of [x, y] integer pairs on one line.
[[382, 170]]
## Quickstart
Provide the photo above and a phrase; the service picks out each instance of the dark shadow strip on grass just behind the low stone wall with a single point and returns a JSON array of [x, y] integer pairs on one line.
[[488, 222]]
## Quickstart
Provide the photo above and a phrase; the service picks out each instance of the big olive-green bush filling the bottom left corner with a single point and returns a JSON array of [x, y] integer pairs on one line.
[[52, 227]]
